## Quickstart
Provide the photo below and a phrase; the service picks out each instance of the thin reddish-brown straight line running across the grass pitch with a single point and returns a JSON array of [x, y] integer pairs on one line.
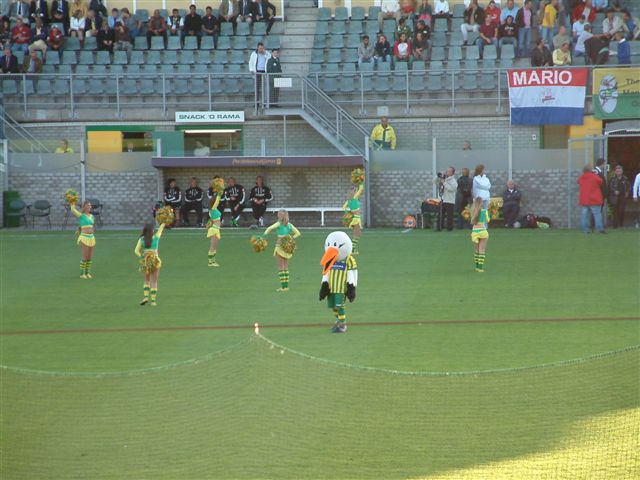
[[310, 325]]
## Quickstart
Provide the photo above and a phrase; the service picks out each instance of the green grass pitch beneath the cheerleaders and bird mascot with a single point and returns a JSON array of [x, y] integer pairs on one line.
[[435, 382]]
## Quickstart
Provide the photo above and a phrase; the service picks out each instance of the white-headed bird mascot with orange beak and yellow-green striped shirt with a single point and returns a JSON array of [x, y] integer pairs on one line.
[[339, 277]]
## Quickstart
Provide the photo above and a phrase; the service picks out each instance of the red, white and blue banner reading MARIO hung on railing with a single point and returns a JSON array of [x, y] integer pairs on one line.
[[547, 96]]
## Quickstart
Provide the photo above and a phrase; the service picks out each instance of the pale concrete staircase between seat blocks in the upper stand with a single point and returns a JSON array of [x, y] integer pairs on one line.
[[297, 41]]
